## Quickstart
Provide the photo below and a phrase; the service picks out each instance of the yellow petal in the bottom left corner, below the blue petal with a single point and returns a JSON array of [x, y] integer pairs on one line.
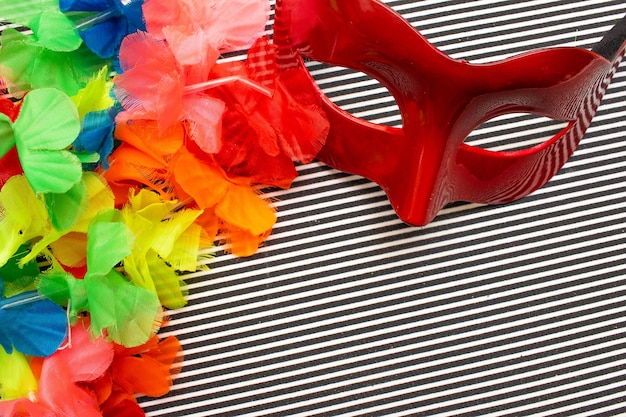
[[16, 377]]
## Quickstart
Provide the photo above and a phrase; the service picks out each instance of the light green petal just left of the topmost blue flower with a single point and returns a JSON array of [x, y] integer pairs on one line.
[[55, 31]]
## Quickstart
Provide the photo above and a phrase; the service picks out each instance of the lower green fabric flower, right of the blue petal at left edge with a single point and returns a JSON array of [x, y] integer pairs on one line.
[[119, 309]]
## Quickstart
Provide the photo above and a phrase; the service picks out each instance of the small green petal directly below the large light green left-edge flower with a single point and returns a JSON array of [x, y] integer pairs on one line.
[[64, 209]]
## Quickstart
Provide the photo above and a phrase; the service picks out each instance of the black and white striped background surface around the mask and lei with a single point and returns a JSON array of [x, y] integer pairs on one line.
[[510, 310]]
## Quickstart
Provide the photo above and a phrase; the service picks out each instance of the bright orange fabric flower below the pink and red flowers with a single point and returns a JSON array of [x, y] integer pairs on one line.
[[180, 175]]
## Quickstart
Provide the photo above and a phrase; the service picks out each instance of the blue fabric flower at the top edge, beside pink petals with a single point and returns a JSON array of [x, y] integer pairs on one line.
[[104, 31]]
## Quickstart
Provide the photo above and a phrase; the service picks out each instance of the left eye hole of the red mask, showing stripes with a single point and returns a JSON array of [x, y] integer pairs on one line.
[[357, 93]]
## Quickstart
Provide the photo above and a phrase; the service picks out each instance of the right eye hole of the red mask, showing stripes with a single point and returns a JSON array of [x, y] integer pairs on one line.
[[514, 132]]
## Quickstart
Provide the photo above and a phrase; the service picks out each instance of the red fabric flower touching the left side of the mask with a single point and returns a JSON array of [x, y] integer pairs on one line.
[[289, 124]]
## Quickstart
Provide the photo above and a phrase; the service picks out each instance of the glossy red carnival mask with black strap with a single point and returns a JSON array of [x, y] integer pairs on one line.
[[425, 164]]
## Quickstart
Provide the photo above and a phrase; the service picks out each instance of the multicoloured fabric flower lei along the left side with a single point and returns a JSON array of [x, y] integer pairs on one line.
[[126, 147]]
